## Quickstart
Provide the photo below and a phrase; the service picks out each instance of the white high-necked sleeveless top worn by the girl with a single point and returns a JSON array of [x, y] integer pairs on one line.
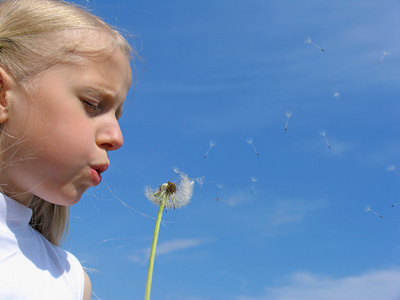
[[31, 268]]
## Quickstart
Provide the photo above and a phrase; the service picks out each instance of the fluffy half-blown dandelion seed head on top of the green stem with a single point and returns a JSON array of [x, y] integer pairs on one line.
[[171, 195]]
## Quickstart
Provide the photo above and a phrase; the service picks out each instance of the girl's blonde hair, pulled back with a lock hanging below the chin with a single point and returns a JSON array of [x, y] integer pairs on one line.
[[36, 35]]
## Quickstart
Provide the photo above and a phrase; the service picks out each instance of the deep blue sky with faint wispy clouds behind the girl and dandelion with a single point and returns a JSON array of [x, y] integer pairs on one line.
[[227, 71]]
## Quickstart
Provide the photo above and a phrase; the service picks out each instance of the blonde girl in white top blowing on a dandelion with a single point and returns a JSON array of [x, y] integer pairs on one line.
[[64, 76]]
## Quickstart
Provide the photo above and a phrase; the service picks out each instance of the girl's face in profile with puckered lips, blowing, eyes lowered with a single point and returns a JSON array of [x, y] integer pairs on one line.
[[58, 137]]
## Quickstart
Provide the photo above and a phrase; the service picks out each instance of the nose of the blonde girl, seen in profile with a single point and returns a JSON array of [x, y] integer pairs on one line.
[[110, 137]]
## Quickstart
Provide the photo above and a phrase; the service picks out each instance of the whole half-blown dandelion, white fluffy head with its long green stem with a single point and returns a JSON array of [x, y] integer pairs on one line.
[[168, 195]]
